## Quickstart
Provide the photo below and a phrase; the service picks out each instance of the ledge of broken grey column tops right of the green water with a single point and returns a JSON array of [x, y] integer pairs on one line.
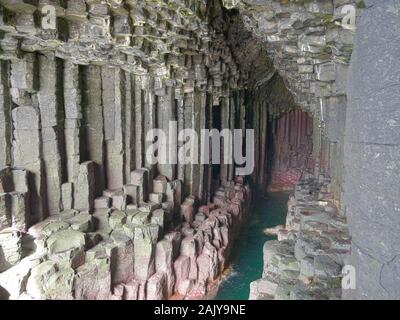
[[307, 260]]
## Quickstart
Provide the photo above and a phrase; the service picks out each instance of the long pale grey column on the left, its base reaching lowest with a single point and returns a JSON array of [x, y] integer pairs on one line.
[[51, 107]]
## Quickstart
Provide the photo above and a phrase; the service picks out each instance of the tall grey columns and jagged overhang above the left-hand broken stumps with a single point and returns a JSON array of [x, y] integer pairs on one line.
[[91, 89]]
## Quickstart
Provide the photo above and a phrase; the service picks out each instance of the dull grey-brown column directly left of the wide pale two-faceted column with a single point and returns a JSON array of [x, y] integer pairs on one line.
[[93, 147]]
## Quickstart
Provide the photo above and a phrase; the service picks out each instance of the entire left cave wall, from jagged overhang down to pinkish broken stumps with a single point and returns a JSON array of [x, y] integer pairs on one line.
[[83, 213]]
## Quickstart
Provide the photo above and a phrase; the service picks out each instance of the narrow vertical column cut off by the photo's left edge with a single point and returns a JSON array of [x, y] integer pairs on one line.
[[5, 115]]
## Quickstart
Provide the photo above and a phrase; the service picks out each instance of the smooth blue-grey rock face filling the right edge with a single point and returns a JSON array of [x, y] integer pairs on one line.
[[372, 151]]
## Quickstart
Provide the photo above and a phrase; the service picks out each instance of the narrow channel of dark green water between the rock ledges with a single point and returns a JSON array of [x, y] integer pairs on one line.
[[247, 258]]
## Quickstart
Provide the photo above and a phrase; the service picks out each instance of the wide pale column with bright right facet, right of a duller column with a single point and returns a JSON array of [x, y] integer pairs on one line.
[[113, 94]]
